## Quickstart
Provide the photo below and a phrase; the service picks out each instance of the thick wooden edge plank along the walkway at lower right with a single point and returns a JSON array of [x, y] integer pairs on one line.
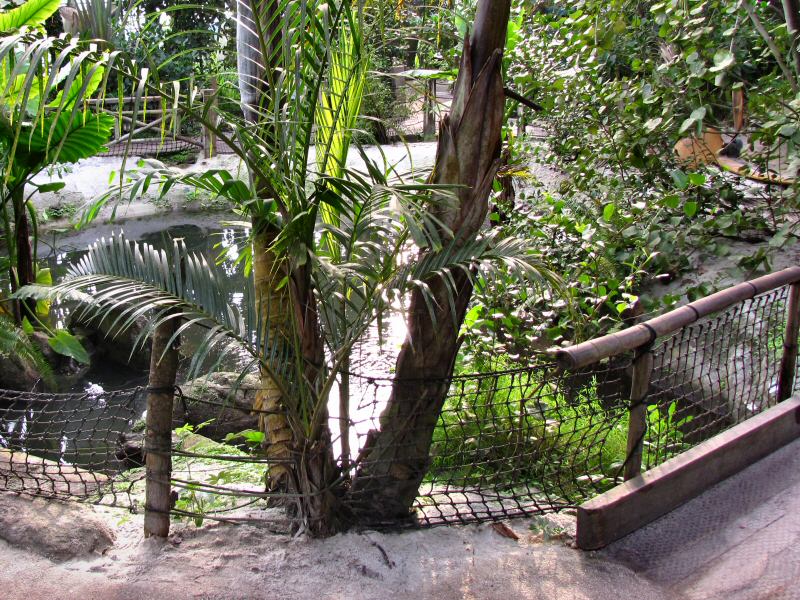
[[651, 495]]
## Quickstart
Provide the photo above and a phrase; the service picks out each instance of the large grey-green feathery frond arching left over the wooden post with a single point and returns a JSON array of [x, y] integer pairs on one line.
[[124, 282]]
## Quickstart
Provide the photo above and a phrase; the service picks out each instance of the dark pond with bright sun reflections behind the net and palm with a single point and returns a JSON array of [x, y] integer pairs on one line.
[[83, 429]]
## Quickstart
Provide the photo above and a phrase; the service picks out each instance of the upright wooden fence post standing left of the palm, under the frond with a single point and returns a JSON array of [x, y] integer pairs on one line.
[[158, 441]]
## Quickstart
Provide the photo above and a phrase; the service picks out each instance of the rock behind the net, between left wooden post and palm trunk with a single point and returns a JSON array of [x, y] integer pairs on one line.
[[210, 399]]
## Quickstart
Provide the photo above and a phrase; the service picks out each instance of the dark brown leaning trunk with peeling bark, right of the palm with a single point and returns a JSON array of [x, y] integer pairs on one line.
[[397, 457]]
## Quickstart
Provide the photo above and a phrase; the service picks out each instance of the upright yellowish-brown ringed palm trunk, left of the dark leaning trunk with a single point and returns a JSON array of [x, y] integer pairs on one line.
[[303, 464]]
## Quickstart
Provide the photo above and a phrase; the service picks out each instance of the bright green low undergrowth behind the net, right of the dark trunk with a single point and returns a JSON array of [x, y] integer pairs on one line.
[[562, 437]]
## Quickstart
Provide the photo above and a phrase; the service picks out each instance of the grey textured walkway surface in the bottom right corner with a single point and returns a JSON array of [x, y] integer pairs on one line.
[[740, 540]]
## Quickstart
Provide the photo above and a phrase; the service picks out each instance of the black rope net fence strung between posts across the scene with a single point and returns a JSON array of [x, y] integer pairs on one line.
[[518, 442]]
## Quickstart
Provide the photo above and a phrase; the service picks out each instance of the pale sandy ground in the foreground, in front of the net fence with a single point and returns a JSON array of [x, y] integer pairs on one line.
[[246, 562]]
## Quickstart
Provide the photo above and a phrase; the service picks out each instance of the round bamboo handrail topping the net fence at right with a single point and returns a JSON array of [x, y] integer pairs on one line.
[[645, 333]]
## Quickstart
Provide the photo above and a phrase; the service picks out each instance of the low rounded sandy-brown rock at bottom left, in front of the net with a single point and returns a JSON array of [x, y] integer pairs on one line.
[[56, 530]]
